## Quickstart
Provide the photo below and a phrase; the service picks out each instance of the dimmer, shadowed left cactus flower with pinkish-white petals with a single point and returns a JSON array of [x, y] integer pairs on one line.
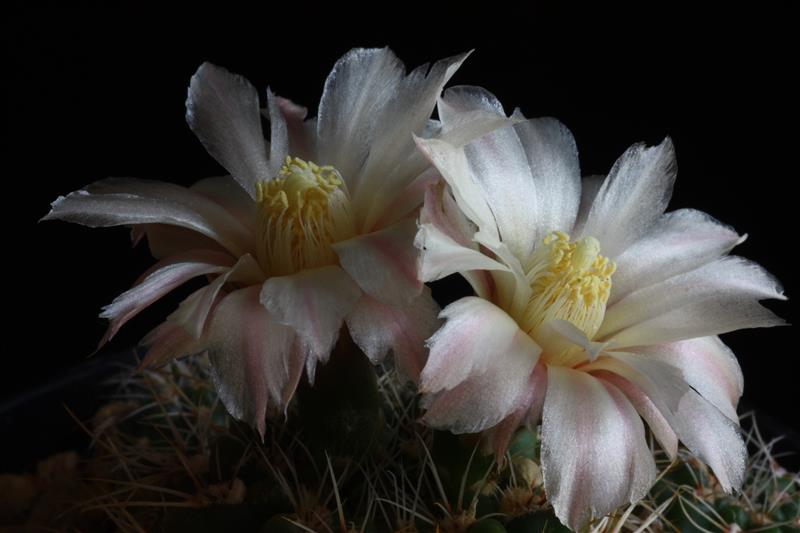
[[312, 229]]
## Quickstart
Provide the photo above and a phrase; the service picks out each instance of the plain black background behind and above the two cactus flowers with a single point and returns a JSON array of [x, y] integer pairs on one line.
[[94, 91]]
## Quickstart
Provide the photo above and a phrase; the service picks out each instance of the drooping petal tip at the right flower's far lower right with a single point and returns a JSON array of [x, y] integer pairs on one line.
[[714, 438]]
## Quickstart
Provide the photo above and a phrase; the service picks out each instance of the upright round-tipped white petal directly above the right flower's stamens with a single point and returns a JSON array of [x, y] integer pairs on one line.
[[553, 160]]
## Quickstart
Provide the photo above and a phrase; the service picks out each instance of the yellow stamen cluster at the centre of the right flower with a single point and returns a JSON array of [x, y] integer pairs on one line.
[[571, 281]]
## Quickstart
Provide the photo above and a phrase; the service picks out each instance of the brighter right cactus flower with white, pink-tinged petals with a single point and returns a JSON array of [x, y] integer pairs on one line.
[[592, 308]]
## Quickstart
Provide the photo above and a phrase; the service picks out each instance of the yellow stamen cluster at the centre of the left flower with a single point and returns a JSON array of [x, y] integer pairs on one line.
[[302, 211]]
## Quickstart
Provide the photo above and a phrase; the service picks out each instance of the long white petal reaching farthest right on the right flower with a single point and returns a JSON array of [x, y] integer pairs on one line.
[[717, 298]]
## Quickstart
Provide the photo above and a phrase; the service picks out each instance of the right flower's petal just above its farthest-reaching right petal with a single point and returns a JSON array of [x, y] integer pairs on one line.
[[680, 241]]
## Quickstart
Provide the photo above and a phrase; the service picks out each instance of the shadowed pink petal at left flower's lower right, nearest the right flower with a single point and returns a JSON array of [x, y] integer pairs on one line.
[[378, 328]]
